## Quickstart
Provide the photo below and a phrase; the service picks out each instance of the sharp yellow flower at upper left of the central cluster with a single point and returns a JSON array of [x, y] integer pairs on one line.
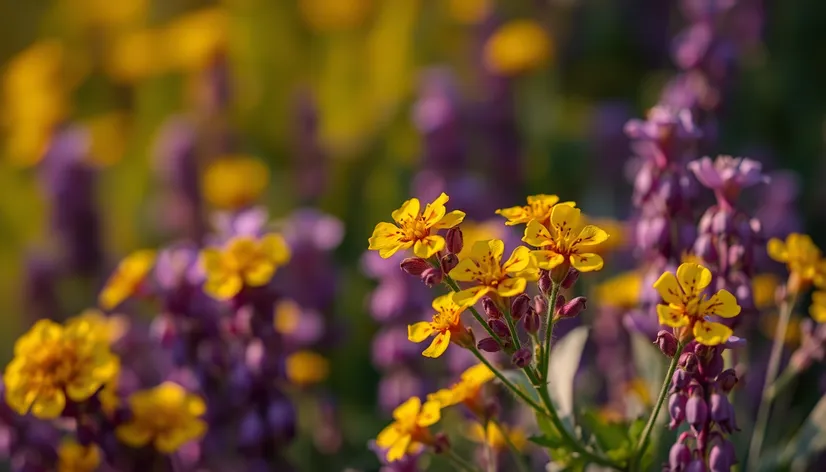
[[415, 228]]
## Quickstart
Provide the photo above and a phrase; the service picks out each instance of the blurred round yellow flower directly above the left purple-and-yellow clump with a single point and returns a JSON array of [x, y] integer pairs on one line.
[[233, 182]]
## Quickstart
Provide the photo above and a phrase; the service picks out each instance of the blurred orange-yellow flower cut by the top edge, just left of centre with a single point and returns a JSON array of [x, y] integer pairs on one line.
[[334, 15]]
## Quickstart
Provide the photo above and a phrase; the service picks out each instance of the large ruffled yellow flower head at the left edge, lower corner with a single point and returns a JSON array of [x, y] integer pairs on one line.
[[52, 362]]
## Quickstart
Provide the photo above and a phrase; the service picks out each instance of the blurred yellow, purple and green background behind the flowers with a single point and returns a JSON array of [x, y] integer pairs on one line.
[[350, 107]]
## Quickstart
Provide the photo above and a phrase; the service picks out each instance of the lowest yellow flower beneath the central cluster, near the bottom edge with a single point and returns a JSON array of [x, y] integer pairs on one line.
[[409, 432]]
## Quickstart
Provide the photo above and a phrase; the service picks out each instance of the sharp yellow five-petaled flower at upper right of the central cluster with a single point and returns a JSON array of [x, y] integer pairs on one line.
[[568, 240]]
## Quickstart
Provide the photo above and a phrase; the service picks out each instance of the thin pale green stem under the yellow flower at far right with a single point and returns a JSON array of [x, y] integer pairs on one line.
[[759, 432]]
